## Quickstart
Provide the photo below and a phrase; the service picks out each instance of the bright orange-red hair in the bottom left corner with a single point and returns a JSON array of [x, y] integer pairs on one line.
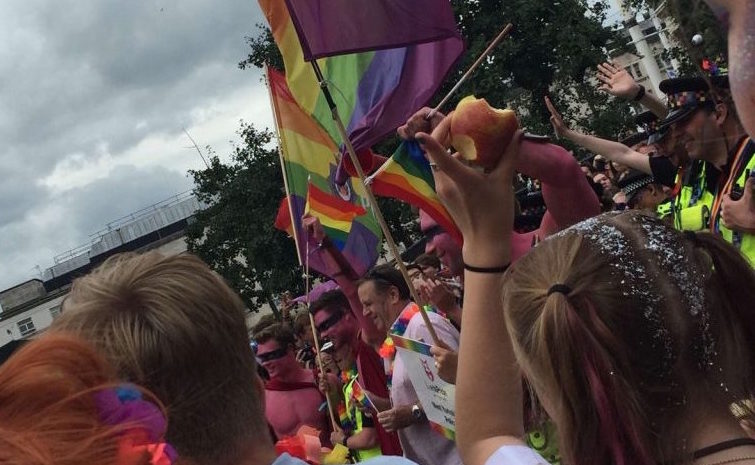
[[48, 412]]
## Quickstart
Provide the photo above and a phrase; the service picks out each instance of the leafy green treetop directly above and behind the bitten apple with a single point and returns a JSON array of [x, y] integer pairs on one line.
[[553, 50]]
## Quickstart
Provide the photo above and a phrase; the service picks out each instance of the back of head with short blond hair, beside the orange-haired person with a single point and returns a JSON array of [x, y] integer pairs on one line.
[[172, 325]]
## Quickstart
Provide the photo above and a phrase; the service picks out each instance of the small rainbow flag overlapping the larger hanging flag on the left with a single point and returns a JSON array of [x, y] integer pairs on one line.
[[336, 215]]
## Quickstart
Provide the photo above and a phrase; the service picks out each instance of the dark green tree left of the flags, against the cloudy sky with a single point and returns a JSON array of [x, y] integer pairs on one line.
[[235, 233]]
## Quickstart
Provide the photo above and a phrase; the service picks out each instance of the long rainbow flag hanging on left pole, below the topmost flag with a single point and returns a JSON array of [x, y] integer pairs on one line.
[[309, 156]]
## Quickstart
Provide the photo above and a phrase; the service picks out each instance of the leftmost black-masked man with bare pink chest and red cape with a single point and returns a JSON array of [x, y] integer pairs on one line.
[[292, 397]]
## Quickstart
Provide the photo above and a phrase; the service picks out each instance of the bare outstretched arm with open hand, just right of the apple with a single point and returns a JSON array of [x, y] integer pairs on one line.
[[613, 151]]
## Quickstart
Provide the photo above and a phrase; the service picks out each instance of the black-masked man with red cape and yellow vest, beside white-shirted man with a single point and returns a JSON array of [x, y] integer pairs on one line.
[[357, 361]]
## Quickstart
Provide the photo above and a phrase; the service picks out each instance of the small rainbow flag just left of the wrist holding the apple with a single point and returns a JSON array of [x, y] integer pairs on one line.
[[406, 176]]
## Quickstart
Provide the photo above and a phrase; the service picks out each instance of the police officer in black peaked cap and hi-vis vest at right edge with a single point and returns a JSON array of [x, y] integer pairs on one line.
[[704, 120]]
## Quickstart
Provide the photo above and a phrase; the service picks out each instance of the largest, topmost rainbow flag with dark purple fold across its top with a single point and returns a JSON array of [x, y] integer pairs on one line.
[[375, 91]]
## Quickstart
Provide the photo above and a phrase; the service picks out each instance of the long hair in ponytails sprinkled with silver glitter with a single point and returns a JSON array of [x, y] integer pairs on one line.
[[651, 328]]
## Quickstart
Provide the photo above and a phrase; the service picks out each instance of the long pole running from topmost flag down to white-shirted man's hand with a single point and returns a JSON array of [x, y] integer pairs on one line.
[[371, 198]]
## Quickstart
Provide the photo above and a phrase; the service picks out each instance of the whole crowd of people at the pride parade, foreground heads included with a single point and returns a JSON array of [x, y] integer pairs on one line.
[[592, 336]]
